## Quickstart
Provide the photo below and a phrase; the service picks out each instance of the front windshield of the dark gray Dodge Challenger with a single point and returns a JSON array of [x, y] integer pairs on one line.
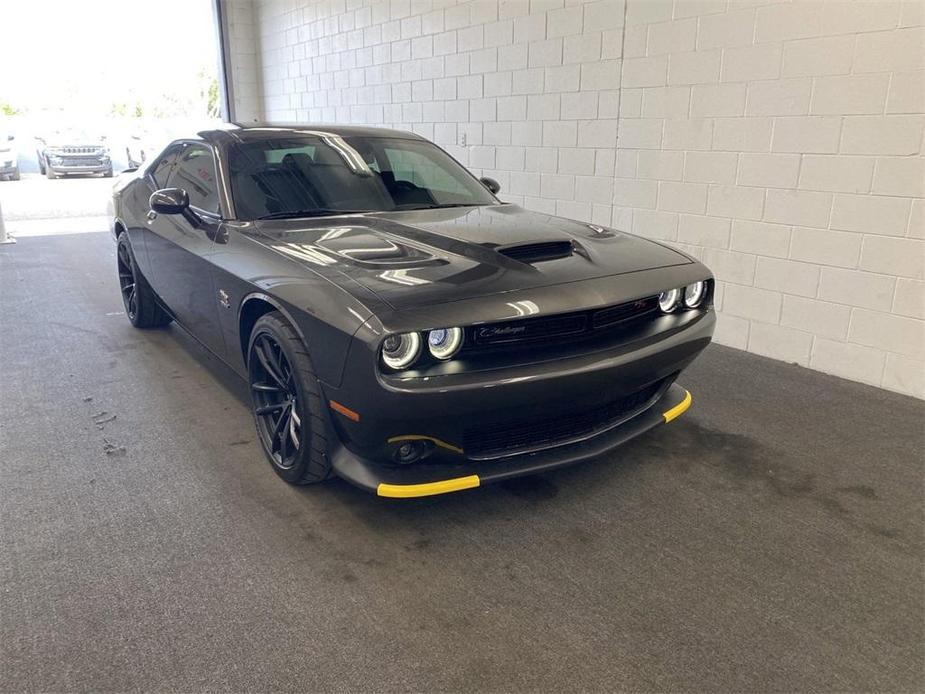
[[311, 175]]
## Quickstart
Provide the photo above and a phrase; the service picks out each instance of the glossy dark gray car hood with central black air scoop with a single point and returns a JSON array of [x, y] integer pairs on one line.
[[423, 257]]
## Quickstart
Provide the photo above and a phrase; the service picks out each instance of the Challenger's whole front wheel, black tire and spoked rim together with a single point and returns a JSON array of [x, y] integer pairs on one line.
[[286, 400]]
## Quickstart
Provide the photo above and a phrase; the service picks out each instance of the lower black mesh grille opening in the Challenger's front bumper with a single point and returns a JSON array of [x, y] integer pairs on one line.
[[544, 432]]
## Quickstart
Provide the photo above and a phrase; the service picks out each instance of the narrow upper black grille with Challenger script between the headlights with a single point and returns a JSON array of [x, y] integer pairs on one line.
[[549, 330]]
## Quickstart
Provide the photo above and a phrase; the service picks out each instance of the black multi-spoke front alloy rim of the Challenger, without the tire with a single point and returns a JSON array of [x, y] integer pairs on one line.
[[276, 401]]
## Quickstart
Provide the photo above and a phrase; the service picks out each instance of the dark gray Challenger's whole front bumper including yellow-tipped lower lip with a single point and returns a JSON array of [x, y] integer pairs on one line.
[[474, 423]]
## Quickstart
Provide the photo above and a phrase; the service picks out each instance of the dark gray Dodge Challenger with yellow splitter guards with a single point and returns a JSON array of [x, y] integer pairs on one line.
[[398, 325]]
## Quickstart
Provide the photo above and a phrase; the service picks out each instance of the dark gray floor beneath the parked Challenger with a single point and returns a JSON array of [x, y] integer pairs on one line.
[[771, 539]]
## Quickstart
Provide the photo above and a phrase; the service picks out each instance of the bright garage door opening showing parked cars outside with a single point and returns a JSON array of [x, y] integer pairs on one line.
[[98, 90]]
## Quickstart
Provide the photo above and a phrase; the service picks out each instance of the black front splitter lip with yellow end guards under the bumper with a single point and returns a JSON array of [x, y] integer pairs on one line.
[[428, 480]]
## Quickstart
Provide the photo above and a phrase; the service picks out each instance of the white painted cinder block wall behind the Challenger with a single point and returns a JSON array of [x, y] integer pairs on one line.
[[781, 142]]
